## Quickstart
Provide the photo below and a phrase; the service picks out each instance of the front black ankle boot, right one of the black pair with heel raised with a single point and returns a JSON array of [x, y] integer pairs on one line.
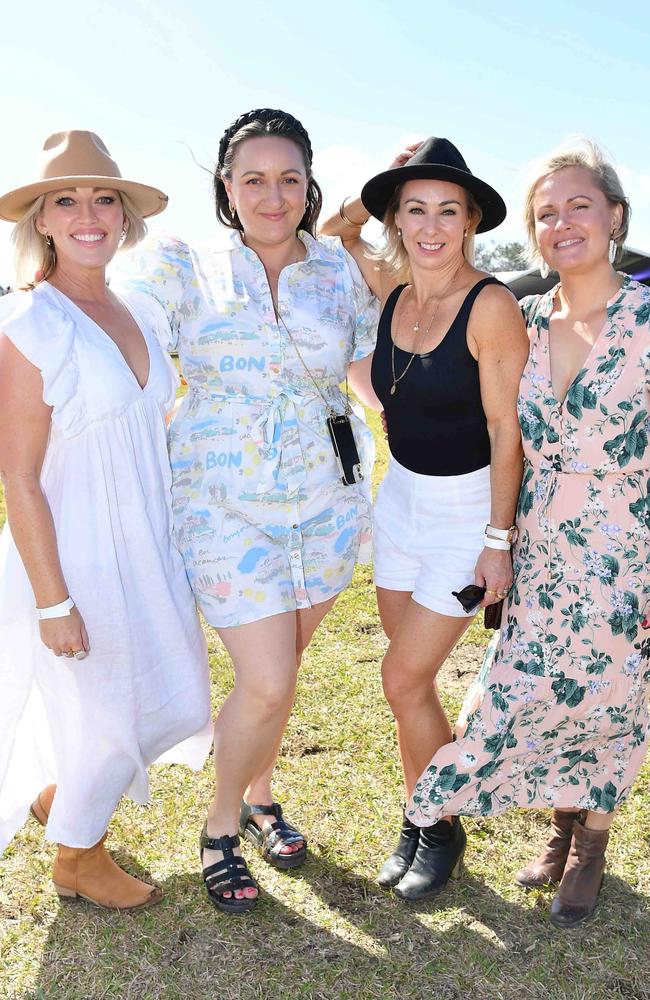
[[437, 859]]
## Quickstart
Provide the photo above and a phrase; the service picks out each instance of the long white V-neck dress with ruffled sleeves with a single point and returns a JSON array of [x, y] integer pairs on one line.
[[93, 726]]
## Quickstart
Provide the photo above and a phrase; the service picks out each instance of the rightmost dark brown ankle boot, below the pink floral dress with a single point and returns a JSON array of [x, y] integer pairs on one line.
[[576, 898]]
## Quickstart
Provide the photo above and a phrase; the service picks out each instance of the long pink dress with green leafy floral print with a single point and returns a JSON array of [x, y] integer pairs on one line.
[[564, 717]]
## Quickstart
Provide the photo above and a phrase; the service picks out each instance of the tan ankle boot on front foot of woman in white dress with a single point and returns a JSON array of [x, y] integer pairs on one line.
[[92, 874]]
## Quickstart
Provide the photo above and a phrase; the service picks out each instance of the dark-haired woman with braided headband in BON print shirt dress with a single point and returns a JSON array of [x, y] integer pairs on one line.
[[269, 323]]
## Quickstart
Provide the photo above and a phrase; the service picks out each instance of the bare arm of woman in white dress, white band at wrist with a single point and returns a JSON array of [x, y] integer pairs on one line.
[[24, 429]]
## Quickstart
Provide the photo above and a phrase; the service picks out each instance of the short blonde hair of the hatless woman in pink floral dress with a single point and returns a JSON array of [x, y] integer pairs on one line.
[[586, 154]]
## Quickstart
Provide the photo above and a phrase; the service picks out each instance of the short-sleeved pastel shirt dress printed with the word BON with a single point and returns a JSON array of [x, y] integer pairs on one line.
[[262, 518]]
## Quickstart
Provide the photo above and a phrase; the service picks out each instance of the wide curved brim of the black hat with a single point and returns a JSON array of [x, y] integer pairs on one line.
[[377, 193]]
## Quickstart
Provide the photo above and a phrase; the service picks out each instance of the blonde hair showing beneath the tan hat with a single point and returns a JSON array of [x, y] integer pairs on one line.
[[32, 254]]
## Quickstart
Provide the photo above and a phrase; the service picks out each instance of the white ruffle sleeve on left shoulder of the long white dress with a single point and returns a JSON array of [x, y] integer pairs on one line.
[[45, 335]]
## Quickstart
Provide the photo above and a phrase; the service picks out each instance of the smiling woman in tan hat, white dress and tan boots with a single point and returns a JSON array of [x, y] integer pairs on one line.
[[103, 665]]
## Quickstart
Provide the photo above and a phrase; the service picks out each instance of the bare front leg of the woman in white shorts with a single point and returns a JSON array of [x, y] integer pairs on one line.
[[420, 642]]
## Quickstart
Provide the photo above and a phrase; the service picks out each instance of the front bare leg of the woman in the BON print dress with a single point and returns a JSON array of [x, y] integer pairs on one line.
[[253, 715]]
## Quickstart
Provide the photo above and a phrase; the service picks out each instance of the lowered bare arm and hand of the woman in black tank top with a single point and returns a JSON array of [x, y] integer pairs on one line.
[[497, 334]]
